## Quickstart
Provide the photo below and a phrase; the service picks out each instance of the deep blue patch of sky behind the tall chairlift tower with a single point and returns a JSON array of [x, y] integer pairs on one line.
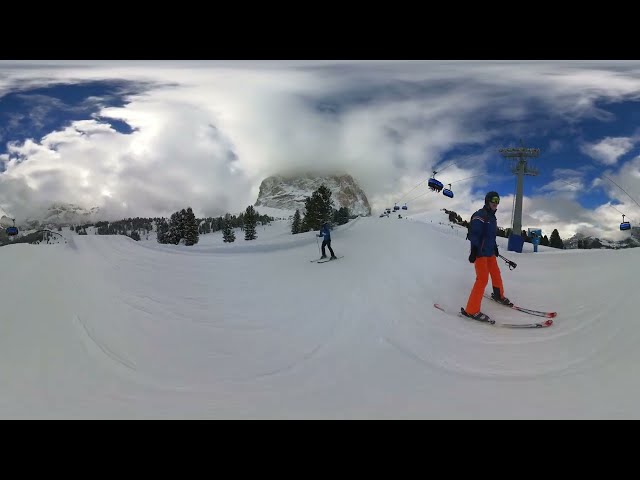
[[586, 149]]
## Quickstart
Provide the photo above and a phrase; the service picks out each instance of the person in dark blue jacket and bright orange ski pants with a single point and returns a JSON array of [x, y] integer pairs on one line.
[[484, 252]]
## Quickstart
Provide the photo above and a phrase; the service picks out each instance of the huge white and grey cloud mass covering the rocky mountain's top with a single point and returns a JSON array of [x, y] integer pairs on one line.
[[207, 133]]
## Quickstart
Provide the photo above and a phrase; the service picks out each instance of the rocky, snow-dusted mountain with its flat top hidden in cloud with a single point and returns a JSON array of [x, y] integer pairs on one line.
[[288, 192]]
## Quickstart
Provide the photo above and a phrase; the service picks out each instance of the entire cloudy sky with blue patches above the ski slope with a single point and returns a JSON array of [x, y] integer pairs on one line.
[[148, 138]]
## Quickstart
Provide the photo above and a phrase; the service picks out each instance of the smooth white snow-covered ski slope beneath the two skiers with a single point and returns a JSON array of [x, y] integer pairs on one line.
[[106, 327]]
